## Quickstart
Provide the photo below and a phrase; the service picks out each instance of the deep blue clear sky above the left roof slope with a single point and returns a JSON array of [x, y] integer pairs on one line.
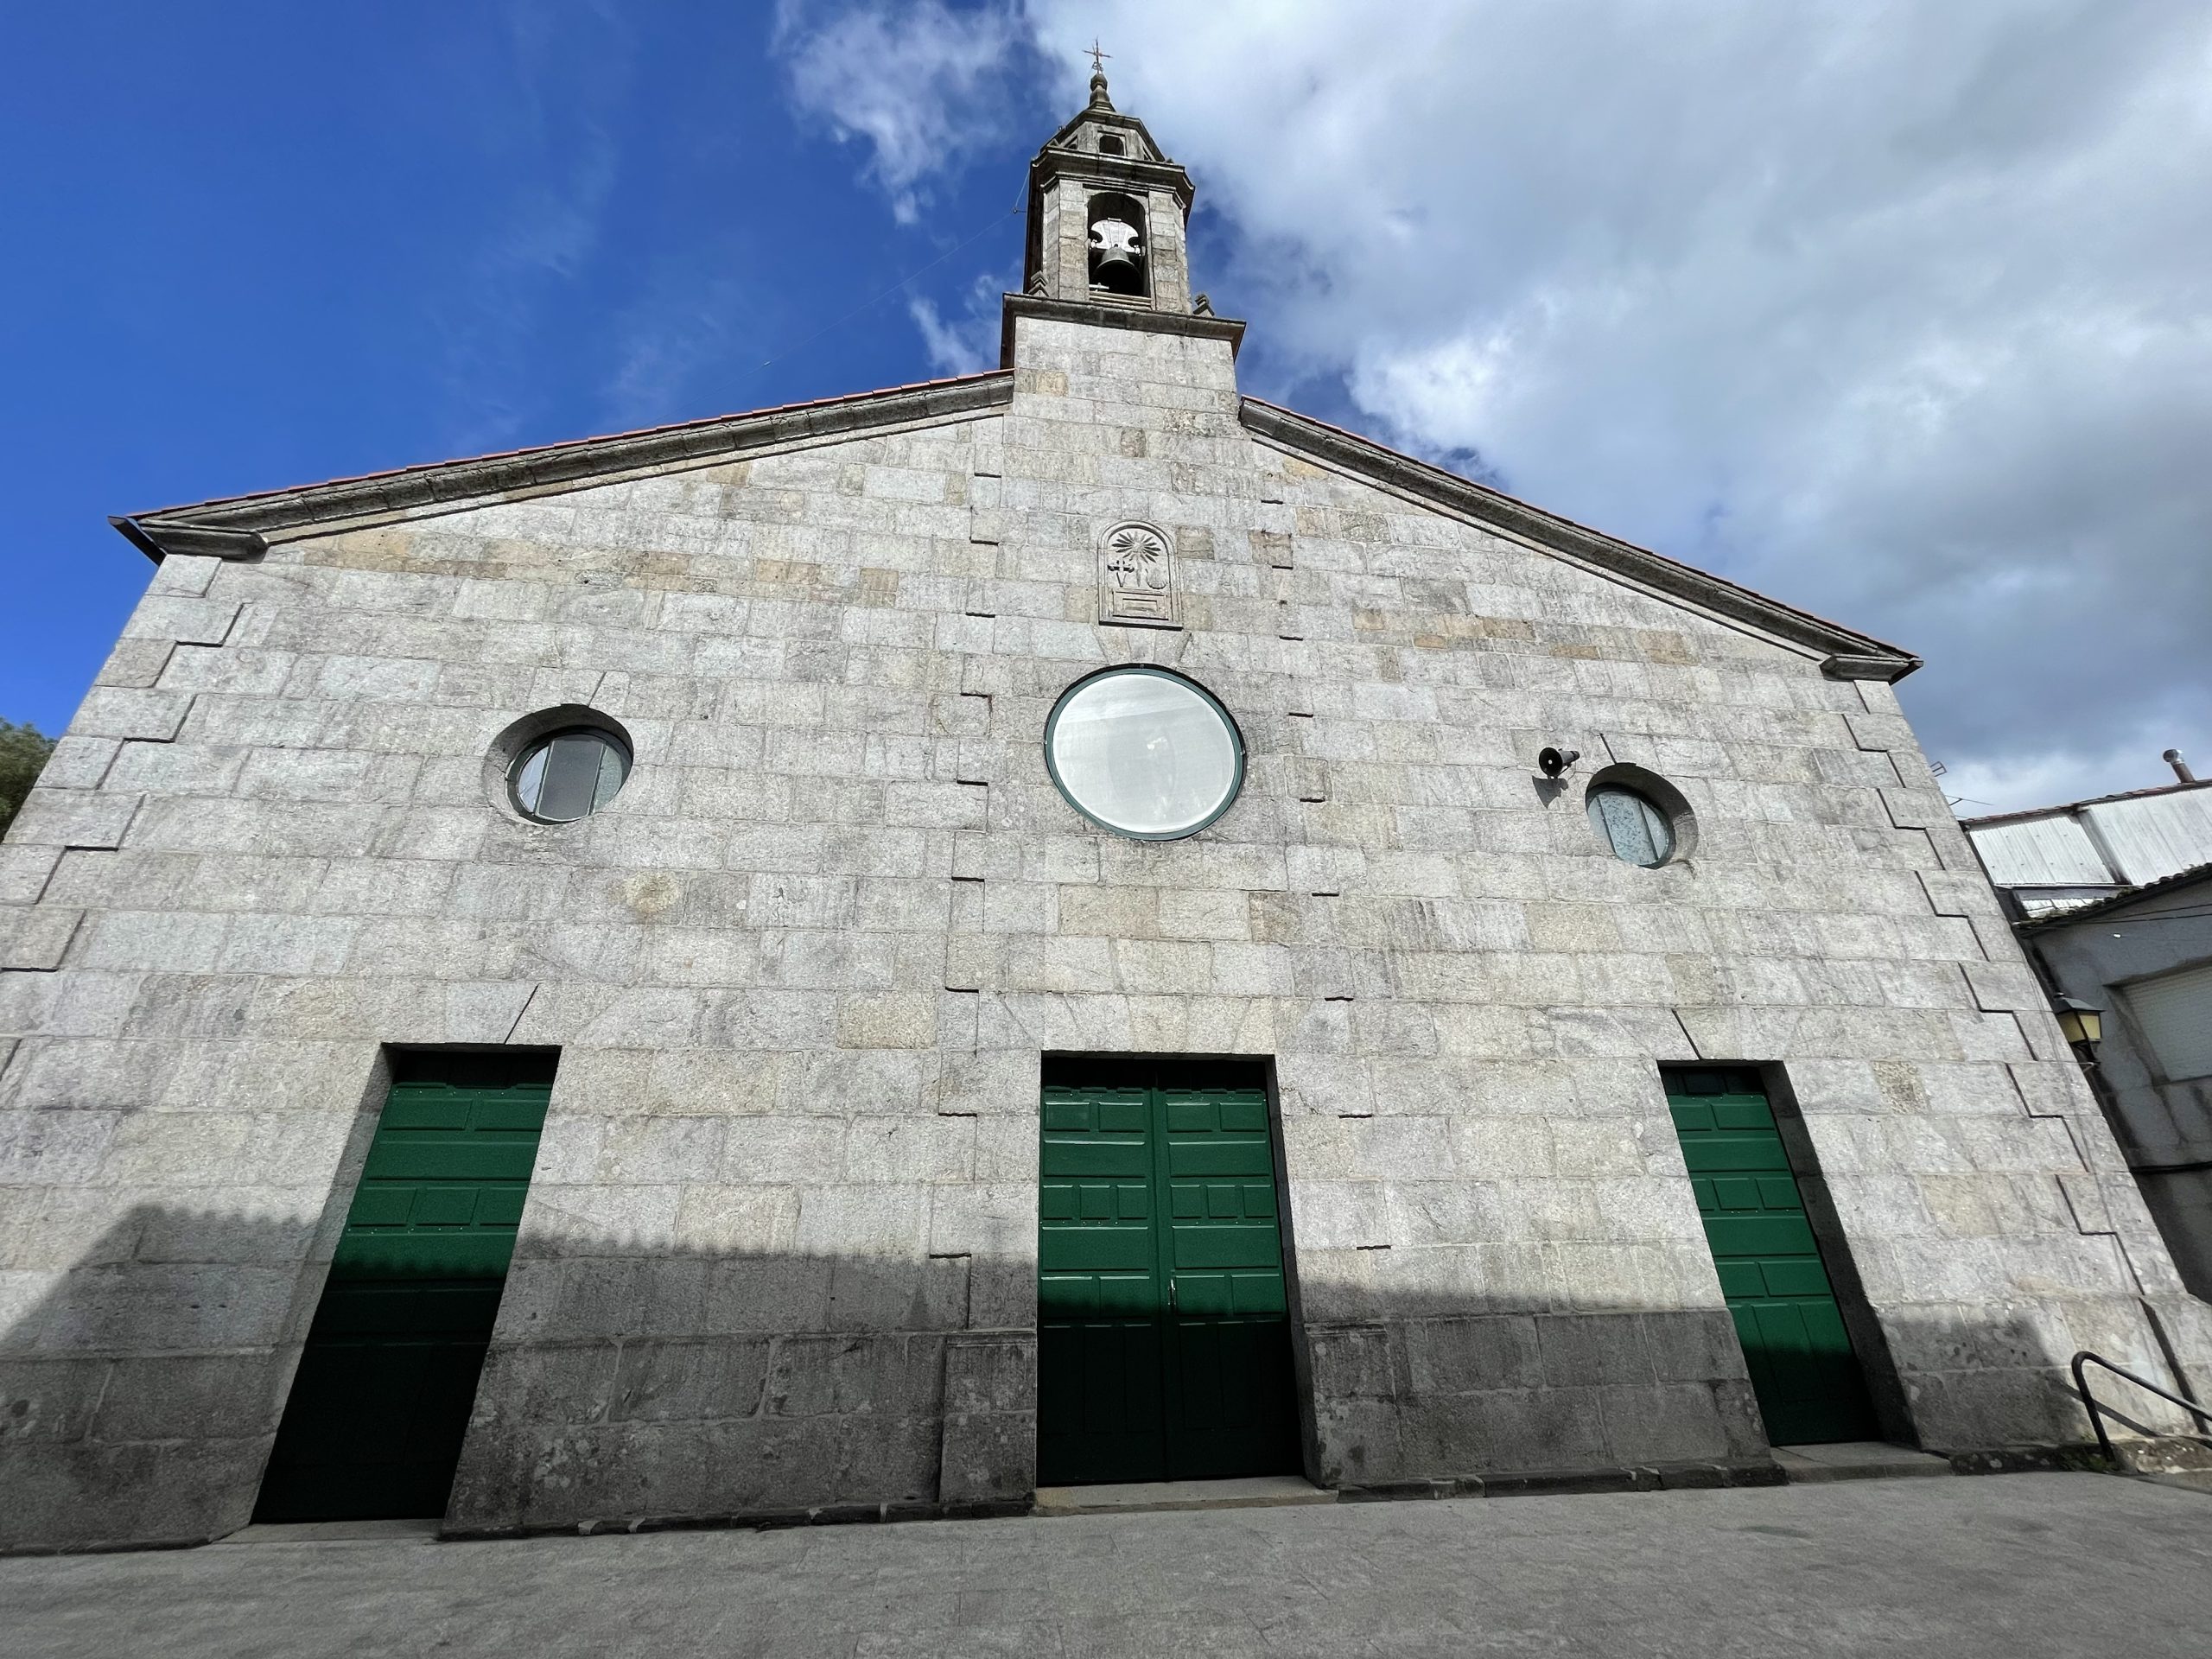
[[264, 244]]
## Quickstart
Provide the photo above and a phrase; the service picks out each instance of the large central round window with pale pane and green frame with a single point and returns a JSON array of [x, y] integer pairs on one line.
[[1145, 753]]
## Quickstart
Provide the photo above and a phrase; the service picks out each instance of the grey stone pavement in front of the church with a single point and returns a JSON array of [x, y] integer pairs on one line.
[[2014, 1565]]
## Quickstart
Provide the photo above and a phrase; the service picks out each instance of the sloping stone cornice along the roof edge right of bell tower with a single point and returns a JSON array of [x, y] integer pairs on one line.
[[1844, 651]]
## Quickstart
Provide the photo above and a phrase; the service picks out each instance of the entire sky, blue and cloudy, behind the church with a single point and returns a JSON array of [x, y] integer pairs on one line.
[[1895, 311]]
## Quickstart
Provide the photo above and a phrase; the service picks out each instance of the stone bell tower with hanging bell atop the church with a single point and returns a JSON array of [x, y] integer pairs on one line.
[[1107, 218]]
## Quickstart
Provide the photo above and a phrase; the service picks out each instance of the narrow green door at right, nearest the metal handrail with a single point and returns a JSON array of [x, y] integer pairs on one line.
[[1777, 1288]]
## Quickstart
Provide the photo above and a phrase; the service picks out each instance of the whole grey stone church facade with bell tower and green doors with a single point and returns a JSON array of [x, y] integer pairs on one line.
[[837, 950]]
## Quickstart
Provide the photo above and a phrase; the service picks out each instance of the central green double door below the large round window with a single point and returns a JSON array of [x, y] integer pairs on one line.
[[1162, 1315]]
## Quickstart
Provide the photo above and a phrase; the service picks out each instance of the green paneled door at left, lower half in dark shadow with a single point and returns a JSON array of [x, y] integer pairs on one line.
[[384, 1388]]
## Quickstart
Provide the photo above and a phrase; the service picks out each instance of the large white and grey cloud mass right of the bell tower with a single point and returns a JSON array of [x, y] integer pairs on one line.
[[1895, 311]]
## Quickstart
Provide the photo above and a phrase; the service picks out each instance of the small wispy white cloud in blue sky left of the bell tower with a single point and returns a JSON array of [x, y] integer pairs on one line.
[[917, 83]]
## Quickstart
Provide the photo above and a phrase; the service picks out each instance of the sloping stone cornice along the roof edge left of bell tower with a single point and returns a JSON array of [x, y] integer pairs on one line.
[[238, 528]]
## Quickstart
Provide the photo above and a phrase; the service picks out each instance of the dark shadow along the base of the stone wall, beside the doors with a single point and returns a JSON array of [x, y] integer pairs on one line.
[[140, 1395]]
